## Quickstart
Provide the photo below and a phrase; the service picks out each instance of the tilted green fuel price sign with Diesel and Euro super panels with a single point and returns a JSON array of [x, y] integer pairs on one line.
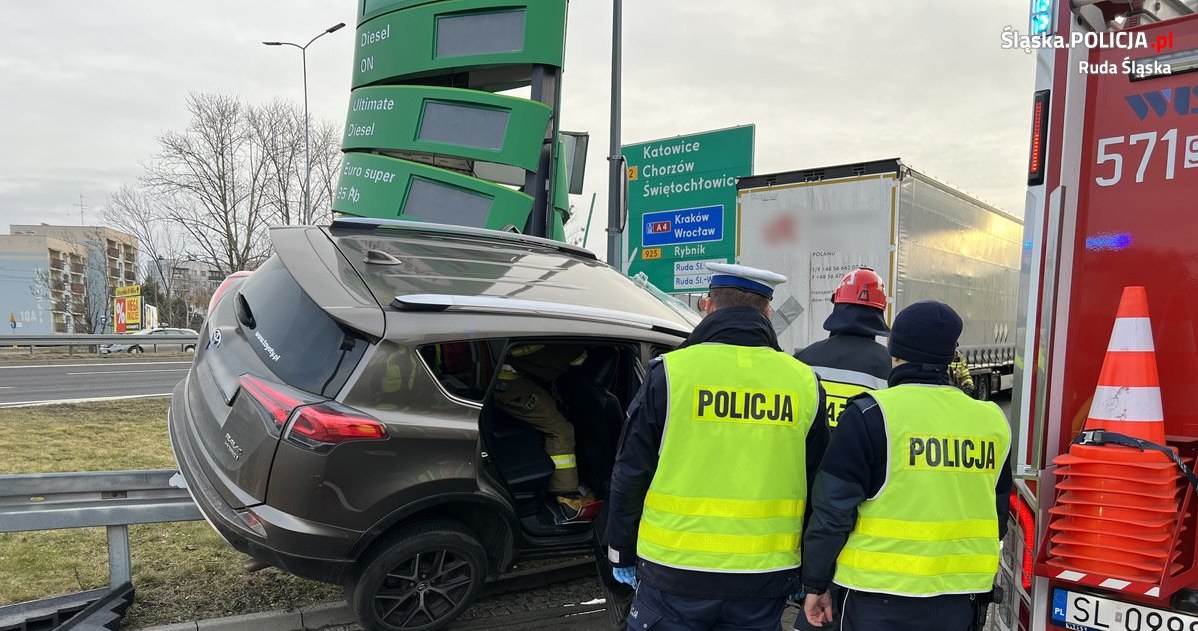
[[497, 167]]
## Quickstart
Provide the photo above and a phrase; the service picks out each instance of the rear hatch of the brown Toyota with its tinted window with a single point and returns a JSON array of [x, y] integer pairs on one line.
[[291, 335]]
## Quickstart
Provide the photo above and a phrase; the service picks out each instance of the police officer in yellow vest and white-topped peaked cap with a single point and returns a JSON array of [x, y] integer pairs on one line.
[[711, 482]]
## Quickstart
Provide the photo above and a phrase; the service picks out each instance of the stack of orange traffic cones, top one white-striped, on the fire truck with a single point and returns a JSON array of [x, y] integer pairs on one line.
[[1109, 494]]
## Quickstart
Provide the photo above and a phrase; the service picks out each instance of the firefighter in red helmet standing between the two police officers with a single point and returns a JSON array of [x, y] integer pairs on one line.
[[851, 361]]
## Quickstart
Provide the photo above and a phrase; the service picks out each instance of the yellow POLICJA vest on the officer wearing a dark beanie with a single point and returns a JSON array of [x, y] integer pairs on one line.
[[933, 529]]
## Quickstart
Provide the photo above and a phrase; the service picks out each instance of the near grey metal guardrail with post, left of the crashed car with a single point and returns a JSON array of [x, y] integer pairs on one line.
[[110, 499]]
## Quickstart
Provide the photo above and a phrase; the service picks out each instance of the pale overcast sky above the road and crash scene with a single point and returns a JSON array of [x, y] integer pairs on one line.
[[89, 86]]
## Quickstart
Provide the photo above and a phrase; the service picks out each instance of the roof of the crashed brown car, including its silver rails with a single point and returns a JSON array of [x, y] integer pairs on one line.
[[420, 268]]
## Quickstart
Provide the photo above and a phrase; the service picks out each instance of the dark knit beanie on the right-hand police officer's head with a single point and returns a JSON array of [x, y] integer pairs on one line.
[[925, 333]]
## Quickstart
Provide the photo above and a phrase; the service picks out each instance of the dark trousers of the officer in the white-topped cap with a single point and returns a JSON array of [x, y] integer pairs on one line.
[[659, 611]]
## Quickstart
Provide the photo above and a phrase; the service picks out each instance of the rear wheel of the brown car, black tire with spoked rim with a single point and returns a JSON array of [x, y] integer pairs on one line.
[[420, 579]]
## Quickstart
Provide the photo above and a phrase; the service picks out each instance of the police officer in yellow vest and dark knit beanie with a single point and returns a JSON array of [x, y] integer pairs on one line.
[[911, 502]]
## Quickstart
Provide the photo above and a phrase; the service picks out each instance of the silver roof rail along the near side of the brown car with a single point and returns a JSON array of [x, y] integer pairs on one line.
[[445, 302]]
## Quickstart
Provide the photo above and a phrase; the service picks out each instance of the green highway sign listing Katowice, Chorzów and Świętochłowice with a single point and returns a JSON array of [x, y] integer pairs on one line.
[[682, 205]]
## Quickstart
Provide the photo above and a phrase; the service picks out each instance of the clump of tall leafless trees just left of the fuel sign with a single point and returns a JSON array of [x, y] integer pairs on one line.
[[233, 173]]
